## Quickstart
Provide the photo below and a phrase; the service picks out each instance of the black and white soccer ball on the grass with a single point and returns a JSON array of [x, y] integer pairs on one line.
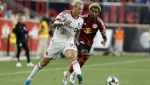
[[112, 80]]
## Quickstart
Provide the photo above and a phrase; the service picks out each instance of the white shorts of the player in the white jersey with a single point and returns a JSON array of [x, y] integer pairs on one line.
[[55, 48]]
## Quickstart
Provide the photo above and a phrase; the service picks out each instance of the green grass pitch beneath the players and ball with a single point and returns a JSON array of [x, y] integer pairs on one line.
[[130, 70]]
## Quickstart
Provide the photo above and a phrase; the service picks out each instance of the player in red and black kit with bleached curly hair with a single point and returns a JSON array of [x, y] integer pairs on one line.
[[92, 23]]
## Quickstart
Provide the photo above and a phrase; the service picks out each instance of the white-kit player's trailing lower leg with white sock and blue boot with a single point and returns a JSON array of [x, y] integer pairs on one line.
[[36, 69]]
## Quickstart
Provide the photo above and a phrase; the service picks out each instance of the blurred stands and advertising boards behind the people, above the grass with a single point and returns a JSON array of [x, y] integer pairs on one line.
[[132, 15]]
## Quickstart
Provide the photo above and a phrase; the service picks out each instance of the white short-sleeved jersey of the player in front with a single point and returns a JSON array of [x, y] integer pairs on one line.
[[66, 32]]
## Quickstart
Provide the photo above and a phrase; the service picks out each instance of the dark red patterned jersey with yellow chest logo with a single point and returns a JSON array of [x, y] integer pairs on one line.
[[89, 30]]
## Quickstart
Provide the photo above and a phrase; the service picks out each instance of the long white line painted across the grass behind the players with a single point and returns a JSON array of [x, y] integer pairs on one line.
[[102, 64]]
